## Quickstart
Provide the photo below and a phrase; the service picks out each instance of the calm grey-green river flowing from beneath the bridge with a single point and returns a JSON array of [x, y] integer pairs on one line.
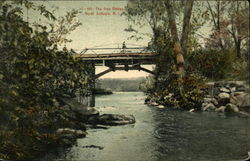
[[162, 134]]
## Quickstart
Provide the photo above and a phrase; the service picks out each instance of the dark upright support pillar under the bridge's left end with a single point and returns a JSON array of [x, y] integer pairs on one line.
[[91, 101]]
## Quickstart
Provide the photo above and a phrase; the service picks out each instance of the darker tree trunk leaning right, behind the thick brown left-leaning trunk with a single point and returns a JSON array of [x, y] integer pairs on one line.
[[186, 25]]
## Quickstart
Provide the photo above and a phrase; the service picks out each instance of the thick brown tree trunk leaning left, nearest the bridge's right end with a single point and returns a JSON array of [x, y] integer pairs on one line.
[[177, 47]]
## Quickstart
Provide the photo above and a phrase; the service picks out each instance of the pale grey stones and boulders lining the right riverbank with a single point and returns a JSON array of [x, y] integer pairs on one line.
[[222, 96]]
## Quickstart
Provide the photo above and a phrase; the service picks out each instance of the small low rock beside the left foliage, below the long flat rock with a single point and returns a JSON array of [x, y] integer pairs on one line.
[[68, 132]]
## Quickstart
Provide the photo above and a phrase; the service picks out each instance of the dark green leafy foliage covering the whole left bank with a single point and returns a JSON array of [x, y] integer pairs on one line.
[[33, 72]]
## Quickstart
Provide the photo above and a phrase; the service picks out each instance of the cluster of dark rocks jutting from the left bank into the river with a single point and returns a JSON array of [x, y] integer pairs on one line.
[[81, 116]]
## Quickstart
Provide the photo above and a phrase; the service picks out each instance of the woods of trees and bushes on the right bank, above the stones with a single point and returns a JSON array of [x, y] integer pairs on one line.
[[189, 58]]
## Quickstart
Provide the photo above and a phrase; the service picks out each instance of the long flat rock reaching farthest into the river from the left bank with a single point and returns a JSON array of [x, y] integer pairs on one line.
[[112, 119]]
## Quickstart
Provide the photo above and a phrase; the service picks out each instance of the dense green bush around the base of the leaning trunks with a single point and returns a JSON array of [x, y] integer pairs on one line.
[[185, 93]]
